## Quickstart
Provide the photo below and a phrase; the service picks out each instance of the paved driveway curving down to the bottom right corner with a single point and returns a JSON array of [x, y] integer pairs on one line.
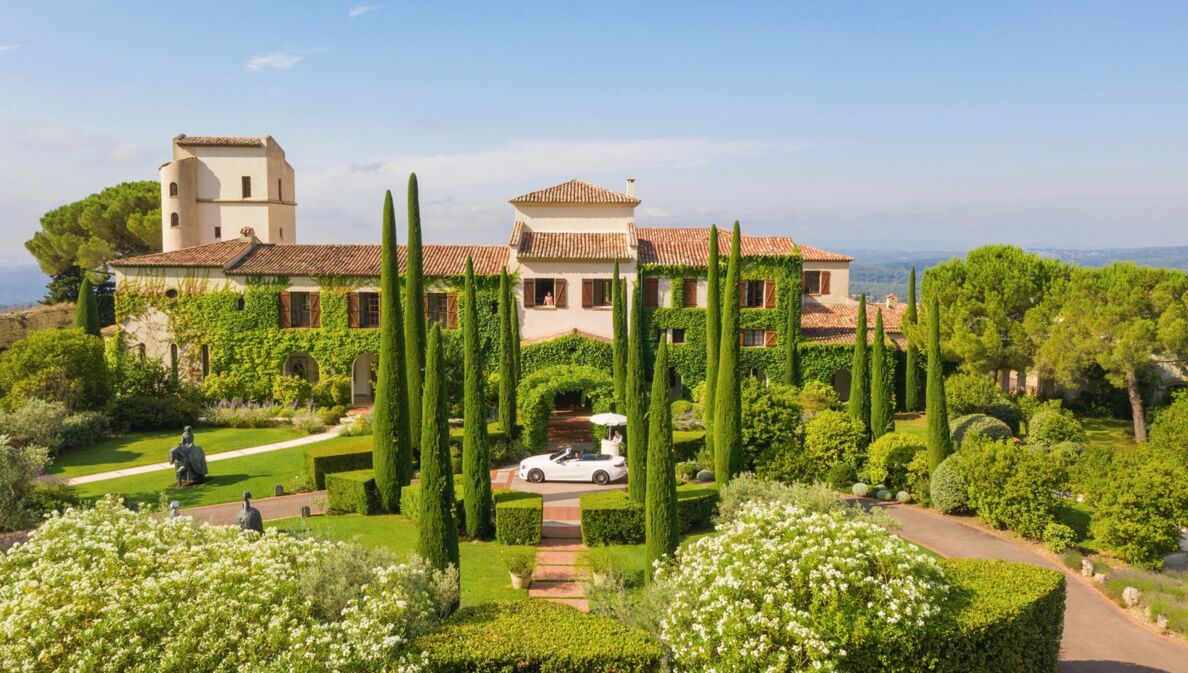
[[1099, 638]]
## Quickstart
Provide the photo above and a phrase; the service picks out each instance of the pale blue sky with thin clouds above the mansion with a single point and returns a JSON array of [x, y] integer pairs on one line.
[[844, 125]]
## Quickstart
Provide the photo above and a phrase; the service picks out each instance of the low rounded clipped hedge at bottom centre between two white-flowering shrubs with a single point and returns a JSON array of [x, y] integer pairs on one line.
[[535, 637]]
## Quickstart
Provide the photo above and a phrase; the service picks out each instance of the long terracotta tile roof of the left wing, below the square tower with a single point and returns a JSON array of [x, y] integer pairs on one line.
[[267, 260]]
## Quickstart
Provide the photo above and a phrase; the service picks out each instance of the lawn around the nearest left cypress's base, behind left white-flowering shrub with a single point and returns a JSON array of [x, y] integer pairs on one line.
[[483, 573]]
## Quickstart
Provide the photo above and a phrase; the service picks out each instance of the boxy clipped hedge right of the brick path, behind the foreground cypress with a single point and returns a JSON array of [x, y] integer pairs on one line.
[[610, 518]]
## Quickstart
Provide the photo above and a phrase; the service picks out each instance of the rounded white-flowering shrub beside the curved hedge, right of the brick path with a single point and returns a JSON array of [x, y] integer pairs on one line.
[[781, 589]]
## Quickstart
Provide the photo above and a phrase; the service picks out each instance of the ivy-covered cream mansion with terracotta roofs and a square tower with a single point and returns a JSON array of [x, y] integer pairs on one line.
[[230, 234]]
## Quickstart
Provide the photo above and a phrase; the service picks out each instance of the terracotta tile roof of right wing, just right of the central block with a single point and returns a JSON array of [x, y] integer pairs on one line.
[[691, 246]]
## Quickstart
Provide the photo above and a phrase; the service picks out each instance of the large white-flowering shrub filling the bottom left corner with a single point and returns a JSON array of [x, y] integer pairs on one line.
[[110, 590]]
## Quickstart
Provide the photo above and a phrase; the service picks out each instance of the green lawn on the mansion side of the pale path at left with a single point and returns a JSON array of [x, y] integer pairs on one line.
[[146, 449]]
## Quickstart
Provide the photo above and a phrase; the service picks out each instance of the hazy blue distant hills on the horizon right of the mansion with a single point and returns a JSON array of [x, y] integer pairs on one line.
[[880, 273]]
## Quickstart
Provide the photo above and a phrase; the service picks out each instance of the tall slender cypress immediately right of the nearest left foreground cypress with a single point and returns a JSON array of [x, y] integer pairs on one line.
[[476, 462]]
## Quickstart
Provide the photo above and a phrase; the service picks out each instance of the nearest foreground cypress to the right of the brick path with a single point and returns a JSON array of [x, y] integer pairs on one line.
[[660, 517]]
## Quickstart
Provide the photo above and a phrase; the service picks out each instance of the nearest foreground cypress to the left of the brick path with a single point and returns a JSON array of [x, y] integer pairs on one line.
[[438, 531]]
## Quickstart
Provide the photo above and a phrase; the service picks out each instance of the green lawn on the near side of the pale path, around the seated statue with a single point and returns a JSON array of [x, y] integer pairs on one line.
[[226, 482]]
